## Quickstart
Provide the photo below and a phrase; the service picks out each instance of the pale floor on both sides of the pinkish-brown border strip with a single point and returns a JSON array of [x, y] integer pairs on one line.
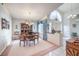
[[23, 51]]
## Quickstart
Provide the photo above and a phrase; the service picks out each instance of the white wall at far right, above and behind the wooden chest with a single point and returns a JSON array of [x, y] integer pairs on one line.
[[67, 24]]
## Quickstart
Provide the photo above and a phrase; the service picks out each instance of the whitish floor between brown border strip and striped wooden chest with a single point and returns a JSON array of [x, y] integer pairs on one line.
[[61, 51]]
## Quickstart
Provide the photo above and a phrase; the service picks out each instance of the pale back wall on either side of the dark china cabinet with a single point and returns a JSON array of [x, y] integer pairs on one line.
[[18, 23]]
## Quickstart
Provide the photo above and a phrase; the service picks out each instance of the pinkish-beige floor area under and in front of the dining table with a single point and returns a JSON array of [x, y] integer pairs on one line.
[[16, 50]]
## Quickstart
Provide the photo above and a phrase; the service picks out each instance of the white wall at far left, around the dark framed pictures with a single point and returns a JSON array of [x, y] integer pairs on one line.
[[5, 34]]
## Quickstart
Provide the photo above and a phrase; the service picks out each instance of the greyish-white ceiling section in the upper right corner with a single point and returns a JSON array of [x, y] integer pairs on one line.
[[67, 7]]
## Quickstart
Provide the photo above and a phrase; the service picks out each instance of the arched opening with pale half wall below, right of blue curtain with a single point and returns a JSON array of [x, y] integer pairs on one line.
[[55, 27]]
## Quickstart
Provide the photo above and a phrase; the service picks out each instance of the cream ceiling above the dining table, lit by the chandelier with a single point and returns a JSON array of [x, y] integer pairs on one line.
[[31, 11]]
